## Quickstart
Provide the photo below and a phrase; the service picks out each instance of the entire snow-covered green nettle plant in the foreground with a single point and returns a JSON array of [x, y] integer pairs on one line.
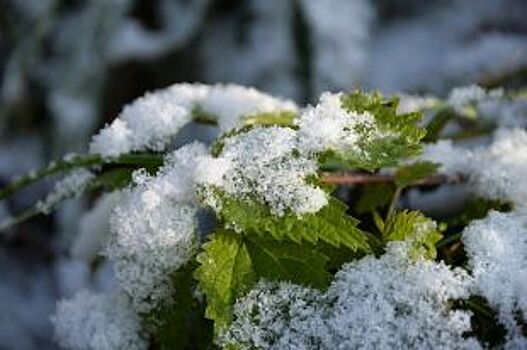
[[243, 243]]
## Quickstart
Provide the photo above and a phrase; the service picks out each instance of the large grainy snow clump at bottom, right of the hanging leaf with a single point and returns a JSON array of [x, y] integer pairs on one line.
[[387, 302]]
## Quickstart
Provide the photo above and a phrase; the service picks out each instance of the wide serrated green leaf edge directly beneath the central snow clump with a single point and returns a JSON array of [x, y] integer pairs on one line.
[[331, 224]]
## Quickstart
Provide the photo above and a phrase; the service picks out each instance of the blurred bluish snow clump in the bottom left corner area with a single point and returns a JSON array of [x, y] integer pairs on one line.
[[98, 321]]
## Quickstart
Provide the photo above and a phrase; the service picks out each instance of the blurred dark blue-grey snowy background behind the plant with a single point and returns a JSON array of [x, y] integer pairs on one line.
[[68, 67]]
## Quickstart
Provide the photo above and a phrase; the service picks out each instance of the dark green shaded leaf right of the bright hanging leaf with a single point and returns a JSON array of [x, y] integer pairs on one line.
[[288, 261]]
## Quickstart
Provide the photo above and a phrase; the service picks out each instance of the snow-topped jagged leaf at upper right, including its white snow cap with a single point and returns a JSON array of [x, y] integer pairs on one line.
[[362, 130]]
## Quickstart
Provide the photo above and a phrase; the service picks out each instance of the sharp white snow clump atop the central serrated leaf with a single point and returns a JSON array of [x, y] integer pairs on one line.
[[262, 163]]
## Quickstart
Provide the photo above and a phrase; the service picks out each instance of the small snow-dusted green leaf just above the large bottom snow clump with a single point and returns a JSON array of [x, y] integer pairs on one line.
[[413, 227]]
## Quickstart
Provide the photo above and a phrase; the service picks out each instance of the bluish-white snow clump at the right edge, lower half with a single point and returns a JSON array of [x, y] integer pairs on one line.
[[497, 251]]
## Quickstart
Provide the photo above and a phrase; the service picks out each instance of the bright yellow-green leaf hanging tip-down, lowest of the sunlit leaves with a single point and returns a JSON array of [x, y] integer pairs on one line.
[[225, 273]]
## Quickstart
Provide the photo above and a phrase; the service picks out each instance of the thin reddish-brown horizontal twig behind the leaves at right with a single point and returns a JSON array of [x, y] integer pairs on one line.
[[356, 178]]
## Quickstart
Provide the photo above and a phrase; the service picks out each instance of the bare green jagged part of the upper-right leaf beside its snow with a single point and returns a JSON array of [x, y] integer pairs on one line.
[[399, 135]]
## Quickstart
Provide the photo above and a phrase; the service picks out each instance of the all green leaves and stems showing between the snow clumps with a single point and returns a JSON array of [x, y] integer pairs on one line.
[[250, 243]]
